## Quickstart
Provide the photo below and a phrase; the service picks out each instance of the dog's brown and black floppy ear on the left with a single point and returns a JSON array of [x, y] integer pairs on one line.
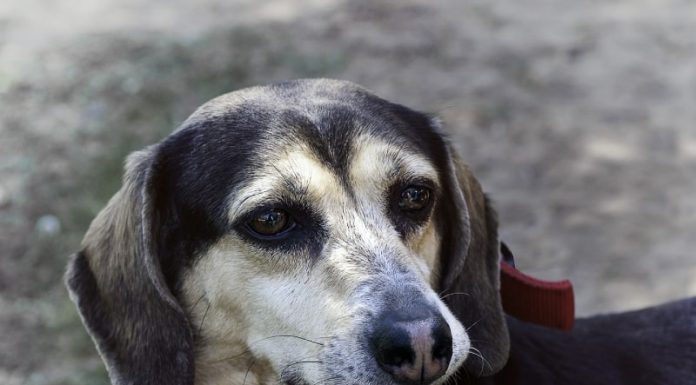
[[117, 283]]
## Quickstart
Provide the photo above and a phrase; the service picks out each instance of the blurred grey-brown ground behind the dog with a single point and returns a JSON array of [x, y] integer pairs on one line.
[[579, 117]]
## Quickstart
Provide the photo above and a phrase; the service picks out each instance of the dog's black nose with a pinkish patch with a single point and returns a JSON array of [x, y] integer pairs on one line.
[[412, 351]]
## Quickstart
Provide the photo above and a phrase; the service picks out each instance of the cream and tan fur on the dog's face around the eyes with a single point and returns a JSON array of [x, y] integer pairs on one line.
[[240, 300]]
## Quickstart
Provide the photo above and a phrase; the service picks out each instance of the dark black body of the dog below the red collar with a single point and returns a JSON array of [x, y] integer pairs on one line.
[[651, 346]]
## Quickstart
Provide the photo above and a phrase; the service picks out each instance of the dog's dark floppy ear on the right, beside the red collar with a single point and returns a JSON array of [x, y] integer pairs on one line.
[[469, 265]]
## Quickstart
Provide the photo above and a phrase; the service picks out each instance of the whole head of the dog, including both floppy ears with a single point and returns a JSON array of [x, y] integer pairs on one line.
[[304, 232]]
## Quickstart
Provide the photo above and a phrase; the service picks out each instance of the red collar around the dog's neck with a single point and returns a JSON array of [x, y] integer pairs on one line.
[[545, 303]]
